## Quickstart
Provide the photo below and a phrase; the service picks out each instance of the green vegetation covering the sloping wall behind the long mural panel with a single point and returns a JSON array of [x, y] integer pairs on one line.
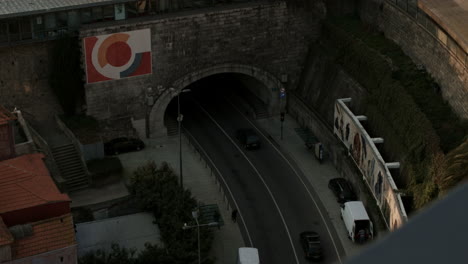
[[403, 106]]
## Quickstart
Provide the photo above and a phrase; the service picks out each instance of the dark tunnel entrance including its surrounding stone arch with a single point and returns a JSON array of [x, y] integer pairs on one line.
[[255, 91]]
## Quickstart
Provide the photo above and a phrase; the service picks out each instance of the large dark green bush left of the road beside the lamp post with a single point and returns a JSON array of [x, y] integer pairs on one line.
[[158, 190]]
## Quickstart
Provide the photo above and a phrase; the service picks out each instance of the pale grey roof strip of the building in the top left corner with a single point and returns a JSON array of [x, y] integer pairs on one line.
[[14, 8]]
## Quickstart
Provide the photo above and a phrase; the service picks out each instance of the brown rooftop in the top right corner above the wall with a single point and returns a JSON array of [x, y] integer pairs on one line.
[[451, 15]]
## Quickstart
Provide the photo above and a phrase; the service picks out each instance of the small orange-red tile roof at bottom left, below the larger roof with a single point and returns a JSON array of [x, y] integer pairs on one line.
[[51, 234]]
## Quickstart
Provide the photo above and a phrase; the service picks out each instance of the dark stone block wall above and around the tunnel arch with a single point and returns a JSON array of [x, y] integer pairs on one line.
[[266, 39]]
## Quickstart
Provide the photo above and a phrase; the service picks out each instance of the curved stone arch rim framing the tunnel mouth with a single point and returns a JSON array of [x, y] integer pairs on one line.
[[156, 118]]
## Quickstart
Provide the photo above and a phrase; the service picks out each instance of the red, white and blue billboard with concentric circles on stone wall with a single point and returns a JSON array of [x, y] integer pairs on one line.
[[116, 56]]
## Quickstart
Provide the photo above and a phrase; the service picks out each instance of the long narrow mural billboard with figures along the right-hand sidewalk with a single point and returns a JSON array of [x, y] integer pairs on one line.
[[371, 164]]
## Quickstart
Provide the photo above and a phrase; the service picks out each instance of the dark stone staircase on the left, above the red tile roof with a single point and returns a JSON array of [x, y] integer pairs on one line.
[[70, 166]]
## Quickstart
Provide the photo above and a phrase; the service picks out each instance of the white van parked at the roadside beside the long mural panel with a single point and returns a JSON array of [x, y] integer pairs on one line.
[[358, 225]]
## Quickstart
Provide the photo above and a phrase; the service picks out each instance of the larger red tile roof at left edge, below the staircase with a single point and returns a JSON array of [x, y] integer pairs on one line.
[[25, 182]]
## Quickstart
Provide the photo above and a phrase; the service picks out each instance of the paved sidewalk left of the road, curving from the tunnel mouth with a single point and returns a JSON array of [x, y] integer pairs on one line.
[[198, 179]]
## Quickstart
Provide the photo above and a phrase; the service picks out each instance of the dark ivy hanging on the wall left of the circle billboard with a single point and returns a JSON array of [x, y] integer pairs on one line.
[[66, 78]]
